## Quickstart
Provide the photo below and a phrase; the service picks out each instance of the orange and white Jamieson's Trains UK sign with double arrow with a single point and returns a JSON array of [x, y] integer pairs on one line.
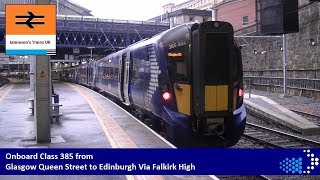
[[31, 29]]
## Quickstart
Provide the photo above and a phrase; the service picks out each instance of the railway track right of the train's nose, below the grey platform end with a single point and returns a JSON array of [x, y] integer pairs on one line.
[[276, 139]]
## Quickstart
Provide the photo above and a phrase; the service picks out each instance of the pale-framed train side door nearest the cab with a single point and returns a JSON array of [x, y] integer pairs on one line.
[[126, 78]]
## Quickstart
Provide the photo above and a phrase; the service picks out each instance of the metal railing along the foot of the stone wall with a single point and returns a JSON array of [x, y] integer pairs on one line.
[[296, 83]]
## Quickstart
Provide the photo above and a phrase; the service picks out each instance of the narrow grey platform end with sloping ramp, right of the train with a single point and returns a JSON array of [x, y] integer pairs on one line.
[[264, 107]]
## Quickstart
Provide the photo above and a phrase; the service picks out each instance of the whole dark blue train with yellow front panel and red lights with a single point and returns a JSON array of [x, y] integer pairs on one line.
[[188, 80]]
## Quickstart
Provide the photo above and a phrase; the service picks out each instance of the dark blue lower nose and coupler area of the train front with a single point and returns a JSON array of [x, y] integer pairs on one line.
[[215, 132]]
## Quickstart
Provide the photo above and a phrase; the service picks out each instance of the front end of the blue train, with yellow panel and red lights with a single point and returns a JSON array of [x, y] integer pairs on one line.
[[206, 84]]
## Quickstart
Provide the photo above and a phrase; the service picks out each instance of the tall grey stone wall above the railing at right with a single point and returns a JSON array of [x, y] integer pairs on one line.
[[263, 56]]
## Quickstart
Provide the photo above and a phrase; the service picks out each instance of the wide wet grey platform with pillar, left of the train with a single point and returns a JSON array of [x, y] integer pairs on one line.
[[89, 121]]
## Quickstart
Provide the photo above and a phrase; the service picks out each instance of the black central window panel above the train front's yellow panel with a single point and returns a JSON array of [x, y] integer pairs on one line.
[[217, 57]]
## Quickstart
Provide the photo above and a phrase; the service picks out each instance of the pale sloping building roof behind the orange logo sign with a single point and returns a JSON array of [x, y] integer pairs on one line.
[[66, 7]]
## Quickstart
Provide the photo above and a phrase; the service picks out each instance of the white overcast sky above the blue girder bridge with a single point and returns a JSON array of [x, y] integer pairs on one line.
[[126, 9]]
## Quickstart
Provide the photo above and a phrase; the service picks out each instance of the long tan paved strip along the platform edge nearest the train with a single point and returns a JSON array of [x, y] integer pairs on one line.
[[117, 137]]
